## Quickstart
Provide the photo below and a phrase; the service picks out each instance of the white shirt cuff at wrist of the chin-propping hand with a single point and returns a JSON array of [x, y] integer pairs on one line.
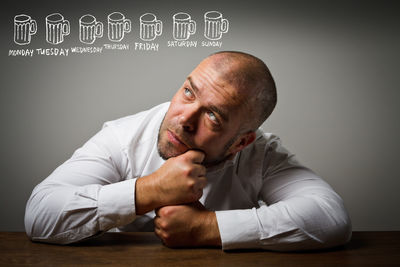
[[116, 204]]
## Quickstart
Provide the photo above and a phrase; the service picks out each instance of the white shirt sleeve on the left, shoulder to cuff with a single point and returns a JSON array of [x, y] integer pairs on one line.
[[88, 194]]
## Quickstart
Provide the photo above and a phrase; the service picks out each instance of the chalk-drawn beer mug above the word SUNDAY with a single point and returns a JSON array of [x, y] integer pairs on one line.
[[215, 25]]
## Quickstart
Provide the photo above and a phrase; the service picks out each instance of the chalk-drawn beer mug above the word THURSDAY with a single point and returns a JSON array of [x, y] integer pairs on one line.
[[118, 25]]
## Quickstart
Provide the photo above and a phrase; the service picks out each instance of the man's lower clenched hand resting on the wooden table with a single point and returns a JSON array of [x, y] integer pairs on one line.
[[187, 225]]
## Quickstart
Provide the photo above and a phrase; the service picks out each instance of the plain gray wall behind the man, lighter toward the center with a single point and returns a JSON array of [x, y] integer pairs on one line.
[[335, 64]]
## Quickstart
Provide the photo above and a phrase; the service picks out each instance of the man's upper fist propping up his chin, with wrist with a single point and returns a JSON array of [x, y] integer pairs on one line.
[[179, 180]]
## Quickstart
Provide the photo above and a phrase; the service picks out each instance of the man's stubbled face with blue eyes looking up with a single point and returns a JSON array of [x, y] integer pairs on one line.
[[205, 114]]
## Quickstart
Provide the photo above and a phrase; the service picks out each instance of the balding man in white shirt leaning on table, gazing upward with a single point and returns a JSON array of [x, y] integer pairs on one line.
[[197, 171]]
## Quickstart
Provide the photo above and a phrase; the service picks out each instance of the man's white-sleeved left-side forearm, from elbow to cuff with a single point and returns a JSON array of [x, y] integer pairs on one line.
[[65, 214]]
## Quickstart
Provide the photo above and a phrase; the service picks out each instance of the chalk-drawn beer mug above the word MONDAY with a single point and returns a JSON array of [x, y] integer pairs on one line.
[[24, 28]]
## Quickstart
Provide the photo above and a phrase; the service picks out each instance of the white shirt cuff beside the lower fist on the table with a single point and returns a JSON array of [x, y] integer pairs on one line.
[[238, 229]]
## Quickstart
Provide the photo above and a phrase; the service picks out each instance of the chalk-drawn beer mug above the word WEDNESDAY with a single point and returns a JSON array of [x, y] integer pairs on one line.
[[89, 29]]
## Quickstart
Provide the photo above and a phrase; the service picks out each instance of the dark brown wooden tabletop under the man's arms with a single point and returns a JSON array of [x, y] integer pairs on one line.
[[144, 249]]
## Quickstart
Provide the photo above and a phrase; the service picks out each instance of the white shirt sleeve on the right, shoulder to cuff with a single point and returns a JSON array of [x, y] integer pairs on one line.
[[297, 210]]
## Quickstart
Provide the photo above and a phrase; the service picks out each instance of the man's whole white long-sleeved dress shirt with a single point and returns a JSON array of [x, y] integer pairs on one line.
[[263, 198]]
